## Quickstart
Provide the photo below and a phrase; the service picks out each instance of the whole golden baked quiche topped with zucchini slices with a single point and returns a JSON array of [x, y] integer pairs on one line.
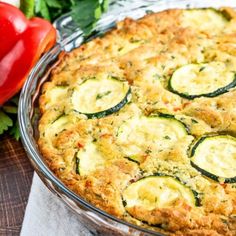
[[141, 121]]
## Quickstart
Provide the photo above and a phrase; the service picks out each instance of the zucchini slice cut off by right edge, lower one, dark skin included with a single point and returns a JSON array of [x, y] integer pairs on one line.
[[215, 157]]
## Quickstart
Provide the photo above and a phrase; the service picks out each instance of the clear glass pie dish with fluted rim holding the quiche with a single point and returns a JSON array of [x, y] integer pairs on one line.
[[70, 37]]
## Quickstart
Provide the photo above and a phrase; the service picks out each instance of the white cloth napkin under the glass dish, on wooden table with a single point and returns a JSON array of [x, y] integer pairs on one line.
[[47, 215]]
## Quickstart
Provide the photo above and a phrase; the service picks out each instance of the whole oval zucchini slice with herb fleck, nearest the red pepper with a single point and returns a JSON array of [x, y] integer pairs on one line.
[[98, 97]]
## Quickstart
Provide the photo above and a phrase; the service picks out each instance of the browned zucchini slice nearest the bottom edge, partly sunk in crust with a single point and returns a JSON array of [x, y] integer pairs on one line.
[[157, 192]]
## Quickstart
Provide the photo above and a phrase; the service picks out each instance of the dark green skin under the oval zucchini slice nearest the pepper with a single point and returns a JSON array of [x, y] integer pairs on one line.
[[107, 112]]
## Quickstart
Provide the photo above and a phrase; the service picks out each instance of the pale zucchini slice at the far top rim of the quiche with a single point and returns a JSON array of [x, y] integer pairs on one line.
[[207, 20]]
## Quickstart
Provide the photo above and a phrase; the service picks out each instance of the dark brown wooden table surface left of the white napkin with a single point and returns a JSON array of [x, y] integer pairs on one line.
[[15, 181]]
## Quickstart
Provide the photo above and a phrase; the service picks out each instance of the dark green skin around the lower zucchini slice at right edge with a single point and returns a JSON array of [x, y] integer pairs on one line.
[[204, 172]]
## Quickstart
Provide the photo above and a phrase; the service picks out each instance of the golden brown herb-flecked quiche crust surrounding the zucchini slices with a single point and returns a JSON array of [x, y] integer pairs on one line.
[[145, 53]]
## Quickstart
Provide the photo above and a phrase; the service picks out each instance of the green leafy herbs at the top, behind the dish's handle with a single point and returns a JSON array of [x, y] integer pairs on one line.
[[84, 12]]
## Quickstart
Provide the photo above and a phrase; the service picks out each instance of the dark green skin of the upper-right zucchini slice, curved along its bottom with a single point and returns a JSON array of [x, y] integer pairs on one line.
[[209, 95]]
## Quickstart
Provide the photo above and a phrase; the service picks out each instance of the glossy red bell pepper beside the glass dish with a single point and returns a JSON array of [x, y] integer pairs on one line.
[[22, 42]]
